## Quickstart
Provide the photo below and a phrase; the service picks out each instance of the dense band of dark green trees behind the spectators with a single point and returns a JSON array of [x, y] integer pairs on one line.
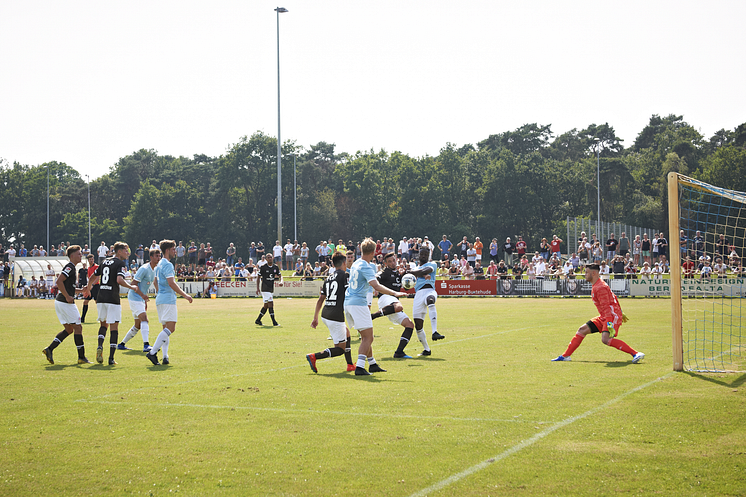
[[526, 181]]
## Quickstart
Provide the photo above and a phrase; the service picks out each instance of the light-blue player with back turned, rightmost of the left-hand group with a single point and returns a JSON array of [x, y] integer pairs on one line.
[[165, 300]]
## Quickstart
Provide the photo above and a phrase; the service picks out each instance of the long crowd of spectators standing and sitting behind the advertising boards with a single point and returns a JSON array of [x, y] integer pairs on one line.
[[466, 259]]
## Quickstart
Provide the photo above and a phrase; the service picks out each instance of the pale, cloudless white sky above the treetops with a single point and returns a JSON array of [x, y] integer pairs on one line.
[[88, 82]]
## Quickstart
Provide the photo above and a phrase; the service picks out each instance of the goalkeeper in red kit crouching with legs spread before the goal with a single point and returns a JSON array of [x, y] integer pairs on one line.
[[608, 323]]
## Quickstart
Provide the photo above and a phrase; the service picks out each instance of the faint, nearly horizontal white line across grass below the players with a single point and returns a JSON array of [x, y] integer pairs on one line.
[[320, 412]]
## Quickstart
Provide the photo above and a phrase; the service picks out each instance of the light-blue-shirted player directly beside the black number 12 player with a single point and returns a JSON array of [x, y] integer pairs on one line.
[[362, 277]]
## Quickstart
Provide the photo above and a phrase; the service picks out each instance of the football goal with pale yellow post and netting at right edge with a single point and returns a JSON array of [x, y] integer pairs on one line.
[[707, 232]]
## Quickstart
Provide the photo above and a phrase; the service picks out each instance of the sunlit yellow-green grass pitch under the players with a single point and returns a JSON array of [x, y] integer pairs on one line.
[[239, 412]]
